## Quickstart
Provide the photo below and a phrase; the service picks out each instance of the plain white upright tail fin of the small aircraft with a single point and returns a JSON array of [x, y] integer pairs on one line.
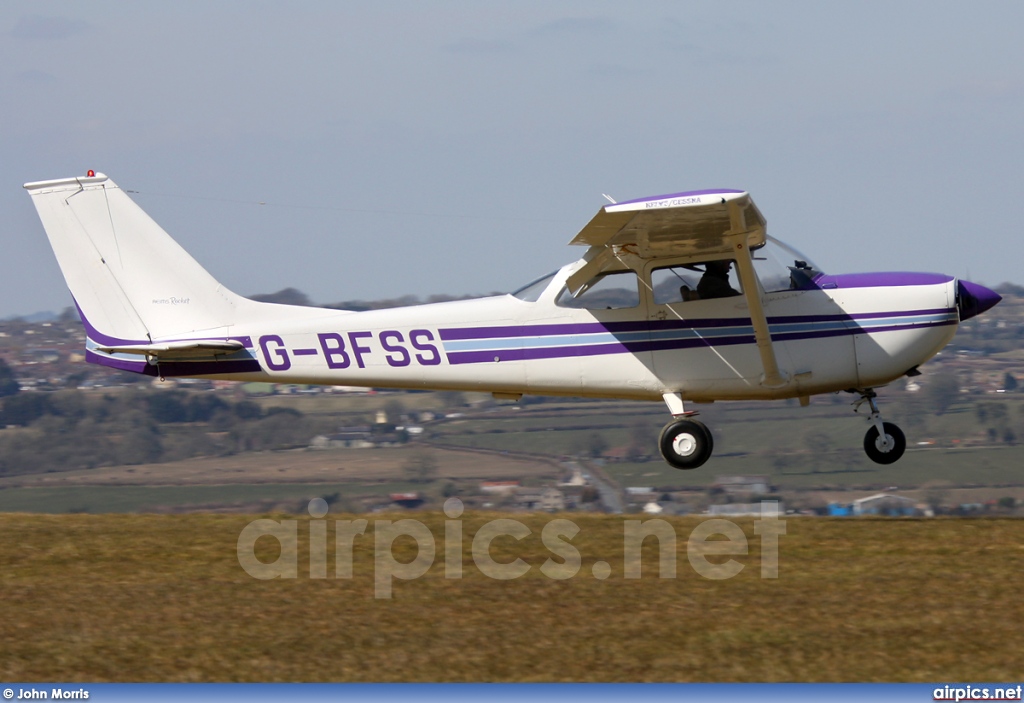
[[132, 282]]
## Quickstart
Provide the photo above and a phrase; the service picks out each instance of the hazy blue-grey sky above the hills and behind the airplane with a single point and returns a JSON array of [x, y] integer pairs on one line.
[[368, 151]]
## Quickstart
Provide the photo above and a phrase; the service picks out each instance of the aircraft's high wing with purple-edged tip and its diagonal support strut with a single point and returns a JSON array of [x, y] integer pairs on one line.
[[706, 225]]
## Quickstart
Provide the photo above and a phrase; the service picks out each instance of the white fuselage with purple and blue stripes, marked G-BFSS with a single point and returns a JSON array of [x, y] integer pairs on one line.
[[848, 332]]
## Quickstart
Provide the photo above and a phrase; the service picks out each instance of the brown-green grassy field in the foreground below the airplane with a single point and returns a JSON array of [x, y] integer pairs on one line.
[[163, 598]]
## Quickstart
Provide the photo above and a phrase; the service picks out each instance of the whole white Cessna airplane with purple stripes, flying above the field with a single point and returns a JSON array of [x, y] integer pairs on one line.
[[680, 297]]
